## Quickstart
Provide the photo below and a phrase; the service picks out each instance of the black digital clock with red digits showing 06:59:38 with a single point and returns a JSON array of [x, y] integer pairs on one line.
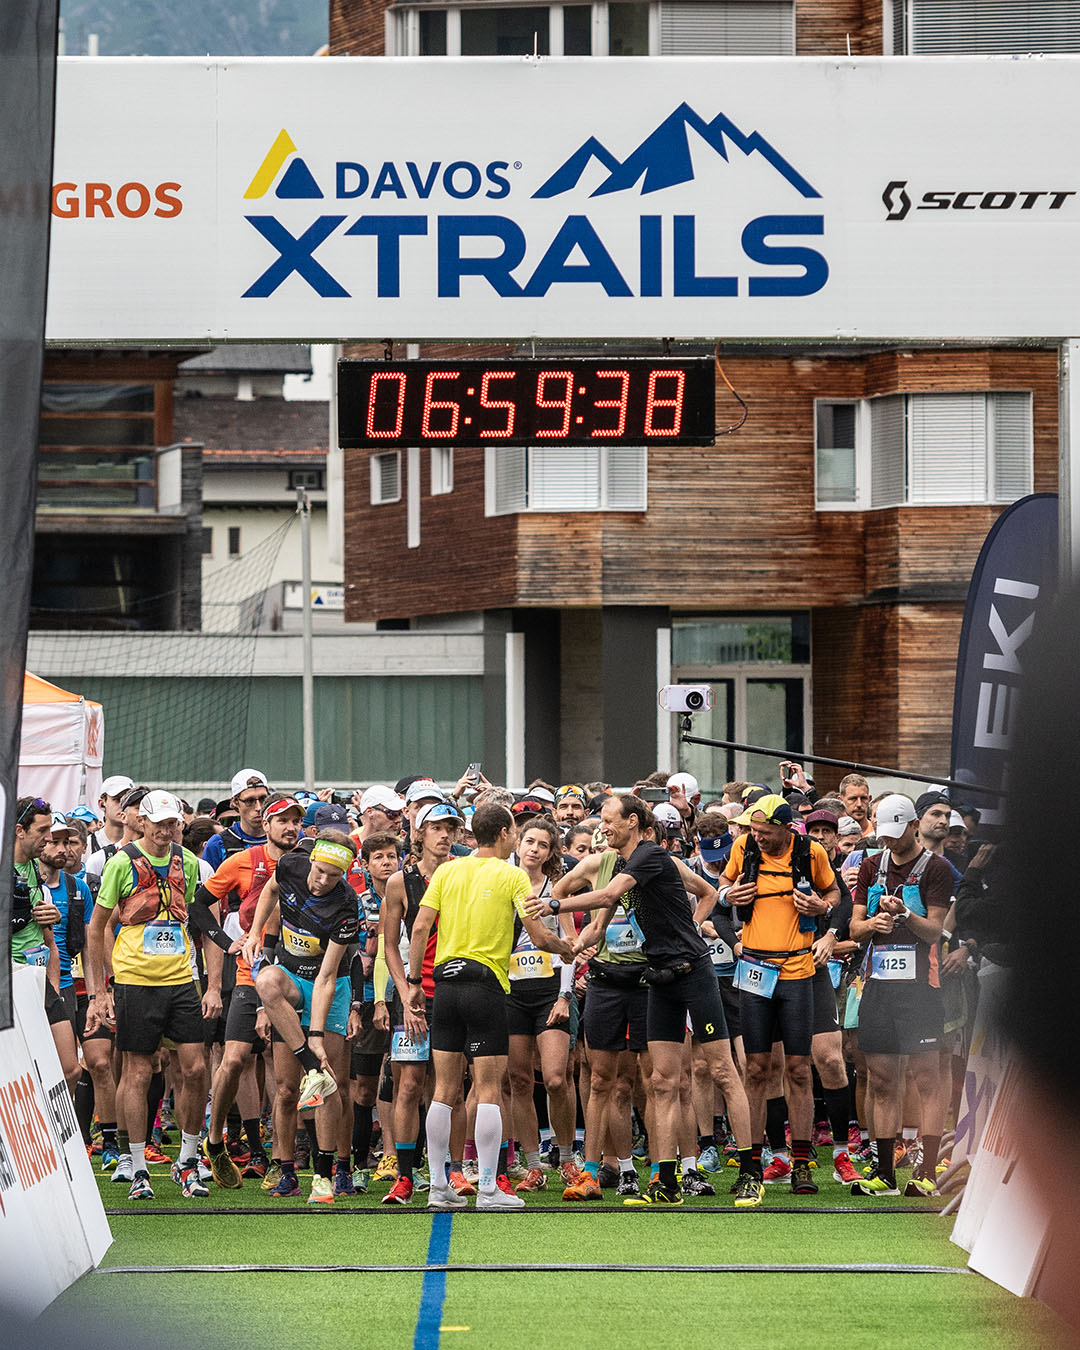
[[616, 402]]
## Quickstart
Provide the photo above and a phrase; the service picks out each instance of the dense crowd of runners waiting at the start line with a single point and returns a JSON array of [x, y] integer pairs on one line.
[[431, 994]]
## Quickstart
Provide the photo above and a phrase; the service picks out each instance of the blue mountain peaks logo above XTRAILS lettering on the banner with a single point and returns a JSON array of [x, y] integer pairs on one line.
[[664, 160]]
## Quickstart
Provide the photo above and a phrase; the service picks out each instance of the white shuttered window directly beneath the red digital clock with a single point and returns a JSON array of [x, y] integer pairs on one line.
[[557, 479]]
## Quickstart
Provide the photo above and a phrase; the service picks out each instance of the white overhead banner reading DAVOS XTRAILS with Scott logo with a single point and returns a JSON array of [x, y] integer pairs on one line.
[[573, 198]]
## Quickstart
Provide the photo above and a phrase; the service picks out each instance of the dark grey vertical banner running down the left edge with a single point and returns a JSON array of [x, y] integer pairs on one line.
[[28, 90]]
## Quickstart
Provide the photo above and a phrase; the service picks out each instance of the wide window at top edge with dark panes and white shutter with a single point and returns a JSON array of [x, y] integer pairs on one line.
[[608, 28]]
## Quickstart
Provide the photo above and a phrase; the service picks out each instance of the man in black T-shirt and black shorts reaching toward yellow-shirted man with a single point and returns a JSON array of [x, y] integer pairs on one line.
[[681, 982]]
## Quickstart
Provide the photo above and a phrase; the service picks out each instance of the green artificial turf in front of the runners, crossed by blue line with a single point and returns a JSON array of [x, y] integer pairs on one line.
[[583, 1310]]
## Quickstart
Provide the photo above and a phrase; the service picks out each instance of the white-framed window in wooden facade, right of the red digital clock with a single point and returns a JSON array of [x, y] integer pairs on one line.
[[923, 450]]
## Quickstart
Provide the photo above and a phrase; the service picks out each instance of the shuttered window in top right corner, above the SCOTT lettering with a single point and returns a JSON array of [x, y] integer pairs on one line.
[[985, 28]]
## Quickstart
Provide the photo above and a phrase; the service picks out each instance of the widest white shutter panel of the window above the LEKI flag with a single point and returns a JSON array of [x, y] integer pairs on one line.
[[948, 442]]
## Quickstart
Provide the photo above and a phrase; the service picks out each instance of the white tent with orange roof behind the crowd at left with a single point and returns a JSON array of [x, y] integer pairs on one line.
[[60, 757]]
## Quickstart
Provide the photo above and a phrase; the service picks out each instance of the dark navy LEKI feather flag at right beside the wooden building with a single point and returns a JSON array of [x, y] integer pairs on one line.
[[1015, 577]]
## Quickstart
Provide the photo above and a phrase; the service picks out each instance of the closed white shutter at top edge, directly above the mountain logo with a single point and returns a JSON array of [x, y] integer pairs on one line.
[[727, 29]]
